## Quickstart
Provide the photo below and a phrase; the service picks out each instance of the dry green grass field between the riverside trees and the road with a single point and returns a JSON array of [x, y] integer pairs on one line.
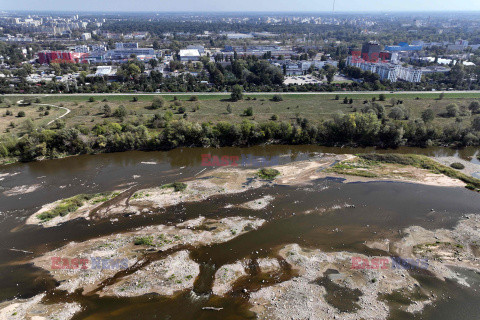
[[213, 107]]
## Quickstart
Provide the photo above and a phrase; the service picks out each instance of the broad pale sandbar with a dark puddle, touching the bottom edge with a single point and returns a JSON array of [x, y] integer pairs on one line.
[[309, 294]]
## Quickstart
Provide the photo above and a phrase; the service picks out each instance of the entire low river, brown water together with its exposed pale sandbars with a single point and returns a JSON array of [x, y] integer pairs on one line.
[[233, 245]]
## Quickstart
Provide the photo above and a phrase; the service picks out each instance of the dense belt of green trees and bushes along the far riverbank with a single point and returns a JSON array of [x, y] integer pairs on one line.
[[386, 125]]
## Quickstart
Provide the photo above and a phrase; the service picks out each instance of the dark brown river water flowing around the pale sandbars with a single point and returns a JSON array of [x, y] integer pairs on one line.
[[367, 211]]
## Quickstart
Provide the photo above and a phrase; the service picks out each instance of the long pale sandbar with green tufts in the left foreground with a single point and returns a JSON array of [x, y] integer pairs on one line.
[[141, 248]]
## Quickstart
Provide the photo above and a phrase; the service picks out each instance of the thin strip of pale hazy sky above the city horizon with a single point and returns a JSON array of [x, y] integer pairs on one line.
[[241, 6]]
